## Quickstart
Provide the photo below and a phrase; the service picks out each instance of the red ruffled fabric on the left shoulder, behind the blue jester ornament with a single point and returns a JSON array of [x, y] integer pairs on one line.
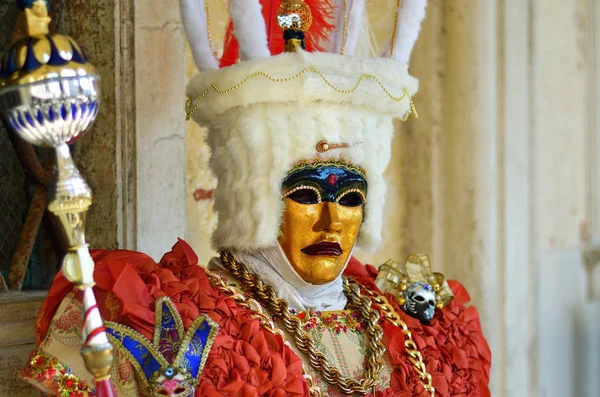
[[245, 359]]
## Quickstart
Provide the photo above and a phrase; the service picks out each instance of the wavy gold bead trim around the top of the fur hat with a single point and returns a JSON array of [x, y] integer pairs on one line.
[[191, 105]]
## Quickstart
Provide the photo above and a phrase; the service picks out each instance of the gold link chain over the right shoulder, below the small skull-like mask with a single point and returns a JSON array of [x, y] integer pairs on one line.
[[414, 355]]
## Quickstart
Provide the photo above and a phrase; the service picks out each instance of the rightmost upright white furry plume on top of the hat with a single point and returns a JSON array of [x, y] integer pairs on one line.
[[410, 16]]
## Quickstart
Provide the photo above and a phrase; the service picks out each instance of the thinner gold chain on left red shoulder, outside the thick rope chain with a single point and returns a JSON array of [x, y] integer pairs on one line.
[[255, 311]]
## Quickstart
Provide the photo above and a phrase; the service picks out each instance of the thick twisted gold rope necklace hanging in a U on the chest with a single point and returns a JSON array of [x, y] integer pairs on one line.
[[253, 284]]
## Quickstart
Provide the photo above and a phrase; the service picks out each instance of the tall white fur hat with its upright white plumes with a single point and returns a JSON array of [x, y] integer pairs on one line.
[[268, 113]]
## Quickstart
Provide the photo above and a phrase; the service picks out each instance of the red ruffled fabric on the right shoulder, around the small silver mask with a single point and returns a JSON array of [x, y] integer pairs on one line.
[[453, 347]]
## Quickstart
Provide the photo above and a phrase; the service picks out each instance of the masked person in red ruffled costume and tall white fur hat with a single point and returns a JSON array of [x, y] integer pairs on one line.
[[299, 143]]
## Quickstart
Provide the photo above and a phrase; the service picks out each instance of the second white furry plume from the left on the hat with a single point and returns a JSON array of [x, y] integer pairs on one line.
[[249, 29]]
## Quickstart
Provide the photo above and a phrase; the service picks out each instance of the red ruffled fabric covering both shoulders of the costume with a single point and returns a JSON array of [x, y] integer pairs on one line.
[[247, 360]]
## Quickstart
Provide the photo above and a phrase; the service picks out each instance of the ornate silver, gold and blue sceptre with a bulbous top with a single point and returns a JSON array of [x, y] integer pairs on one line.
[[49, 95]]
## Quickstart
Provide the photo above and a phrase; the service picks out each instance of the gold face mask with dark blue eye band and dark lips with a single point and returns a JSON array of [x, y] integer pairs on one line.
[[322, 217]]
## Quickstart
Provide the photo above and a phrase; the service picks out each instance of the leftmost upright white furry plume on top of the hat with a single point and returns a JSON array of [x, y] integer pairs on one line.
[[193, 16]]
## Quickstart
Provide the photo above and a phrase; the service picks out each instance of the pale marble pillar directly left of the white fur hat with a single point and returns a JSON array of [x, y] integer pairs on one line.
[[160, 168]]
